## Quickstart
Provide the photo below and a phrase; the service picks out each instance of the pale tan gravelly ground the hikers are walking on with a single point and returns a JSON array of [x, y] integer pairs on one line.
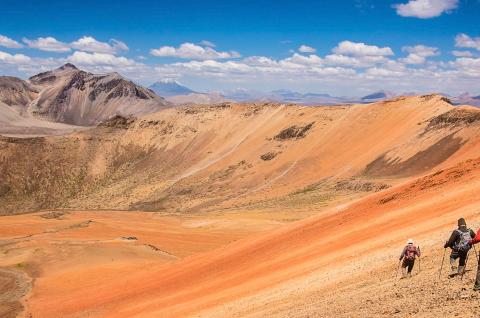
[[368, 287]]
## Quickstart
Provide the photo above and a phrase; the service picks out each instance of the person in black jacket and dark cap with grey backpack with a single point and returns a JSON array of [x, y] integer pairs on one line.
[[458, 242]]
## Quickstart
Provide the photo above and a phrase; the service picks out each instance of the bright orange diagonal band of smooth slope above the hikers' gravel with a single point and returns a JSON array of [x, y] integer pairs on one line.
[[255, 266]]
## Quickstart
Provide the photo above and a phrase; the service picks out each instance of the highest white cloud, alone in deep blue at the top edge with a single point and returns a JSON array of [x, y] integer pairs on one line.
[[425, 9]]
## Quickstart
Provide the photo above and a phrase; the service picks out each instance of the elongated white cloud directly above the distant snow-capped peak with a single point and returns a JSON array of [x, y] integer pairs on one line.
[[193, 51]]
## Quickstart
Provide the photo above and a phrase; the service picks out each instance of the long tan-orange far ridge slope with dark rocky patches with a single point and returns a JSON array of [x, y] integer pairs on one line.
[[204, 158]]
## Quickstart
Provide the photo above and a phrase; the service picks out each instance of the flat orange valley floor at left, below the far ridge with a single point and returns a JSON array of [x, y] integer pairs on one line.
[[80, 249]]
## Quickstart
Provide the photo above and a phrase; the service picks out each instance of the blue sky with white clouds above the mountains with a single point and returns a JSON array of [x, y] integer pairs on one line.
[[338, 47]]
